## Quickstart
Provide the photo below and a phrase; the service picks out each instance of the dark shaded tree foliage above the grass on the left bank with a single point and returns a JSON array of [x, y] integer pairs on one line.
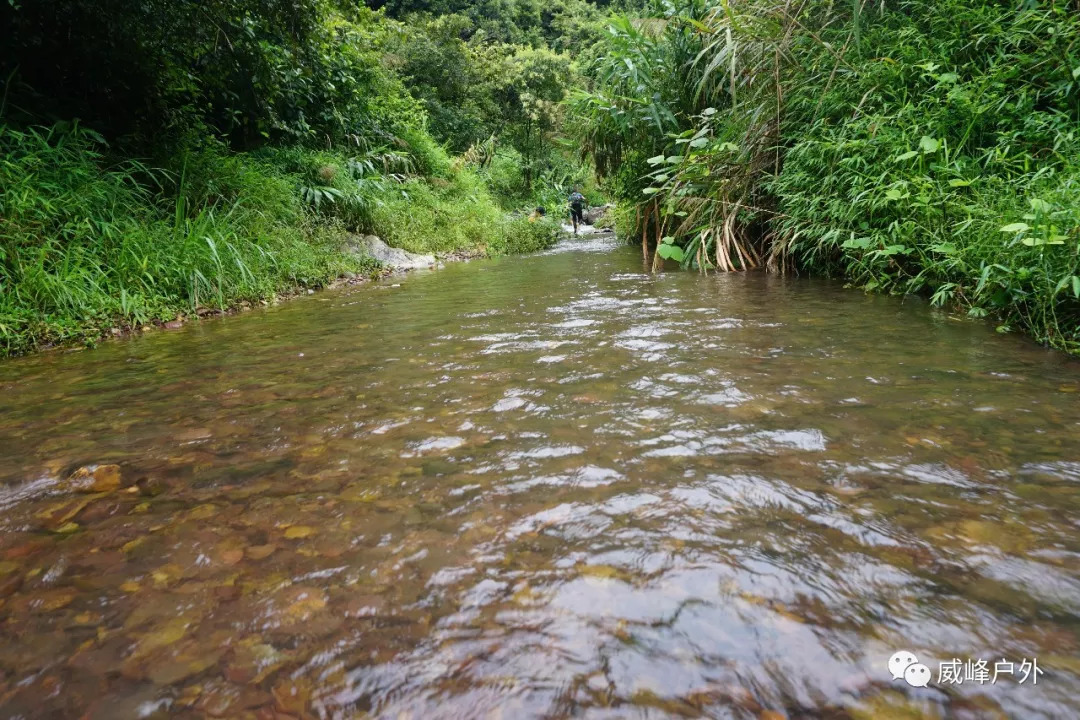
[[247, 71]]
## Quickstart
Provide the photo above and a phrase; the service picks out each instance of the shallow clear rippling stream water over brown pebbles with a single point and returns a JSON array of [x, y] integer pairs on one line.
[[552, 486]]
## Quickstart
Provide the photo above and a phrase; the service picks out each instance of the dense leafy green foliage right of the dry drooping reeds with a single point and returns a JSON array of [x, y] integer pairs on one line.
[[957, 175]]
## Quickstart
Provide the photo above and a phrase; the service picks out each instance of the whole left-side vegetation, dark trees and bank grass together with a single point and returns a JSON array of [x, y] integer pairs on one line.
[[265, 131]]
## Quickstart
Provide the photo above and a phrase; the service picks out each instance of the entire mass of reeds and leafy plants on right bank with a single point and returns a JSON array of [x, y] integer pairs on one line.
[[915, 146]]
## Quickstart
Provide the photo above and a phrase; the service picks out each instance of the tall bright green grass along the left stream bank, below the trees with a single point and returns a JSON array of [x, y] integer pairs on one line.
[[90, 244]]
